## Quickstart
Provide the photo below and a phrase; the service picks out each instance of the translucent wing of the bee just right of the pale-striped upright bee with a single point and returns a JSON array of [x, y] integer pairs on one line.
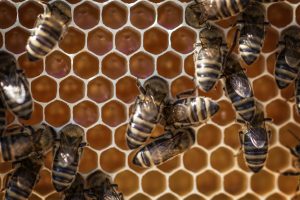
[[241, 85]]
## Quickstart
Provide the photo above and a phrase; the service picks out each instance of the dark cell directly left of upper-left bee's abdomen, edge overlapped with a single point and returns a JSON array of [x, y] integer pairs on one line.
[[16, 40]]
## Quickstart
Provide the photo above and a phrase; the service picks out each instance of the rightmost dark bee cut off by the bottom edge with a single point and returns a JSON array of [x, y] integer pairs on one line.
[[100, 187]]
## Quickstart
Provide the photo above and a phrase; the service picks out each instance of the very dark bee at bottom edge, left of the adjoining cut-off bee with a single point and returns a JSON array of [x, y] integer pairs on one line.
[[76, 190]]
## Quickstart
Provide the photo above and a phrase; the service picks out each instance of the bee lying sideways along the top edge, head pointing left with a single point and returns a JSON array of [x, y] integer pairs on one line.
[[200, 11]]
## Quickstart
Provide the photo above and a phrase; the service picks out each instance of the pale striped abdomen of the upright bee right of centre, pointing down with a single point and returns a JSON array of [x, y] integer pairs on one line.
[[207, 73]]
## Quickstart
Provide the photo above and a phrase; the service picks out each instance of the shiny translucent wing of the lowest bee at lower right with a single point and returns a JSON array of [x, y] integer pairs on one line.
[[258, 136]]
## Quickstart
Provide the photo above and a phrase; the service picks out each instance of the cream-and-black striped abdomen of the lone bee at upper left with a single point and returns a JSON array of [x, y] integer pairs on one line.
[[45, 37]]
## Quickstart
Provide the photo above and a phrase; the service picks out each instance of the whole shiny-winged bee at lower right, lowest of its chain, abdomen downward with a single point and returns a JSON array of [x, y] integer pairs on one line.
[[255, 141]]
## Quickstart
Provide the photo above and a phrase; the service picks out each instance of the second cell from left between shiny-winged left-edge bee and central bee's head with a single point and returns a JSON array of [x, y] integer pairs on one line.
[[71, 89]]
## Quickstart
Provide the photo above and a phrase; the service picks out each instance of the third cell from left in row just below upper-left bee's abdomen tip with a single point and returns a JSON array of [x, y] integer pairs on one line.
[[85, 65]]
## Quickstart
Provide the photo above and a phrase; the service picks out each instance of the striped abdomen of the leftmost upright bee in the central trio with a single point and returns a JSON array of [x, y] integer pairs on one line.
[[138, 131]]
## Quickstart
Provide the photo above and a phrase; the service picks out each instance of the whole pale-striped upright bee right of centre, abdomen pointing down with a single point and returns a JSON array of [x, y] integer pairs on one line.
[[208, 57]]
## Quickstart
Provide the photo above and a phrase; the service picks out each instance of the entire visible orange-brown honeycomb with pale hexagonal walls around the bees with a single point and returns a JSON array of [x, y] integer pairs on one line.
[[86, 79]]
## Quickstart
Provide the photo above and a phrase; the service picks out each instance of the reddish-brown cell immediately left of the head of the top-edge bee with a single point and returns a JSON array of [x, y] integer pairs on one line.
[[169, 15]]
